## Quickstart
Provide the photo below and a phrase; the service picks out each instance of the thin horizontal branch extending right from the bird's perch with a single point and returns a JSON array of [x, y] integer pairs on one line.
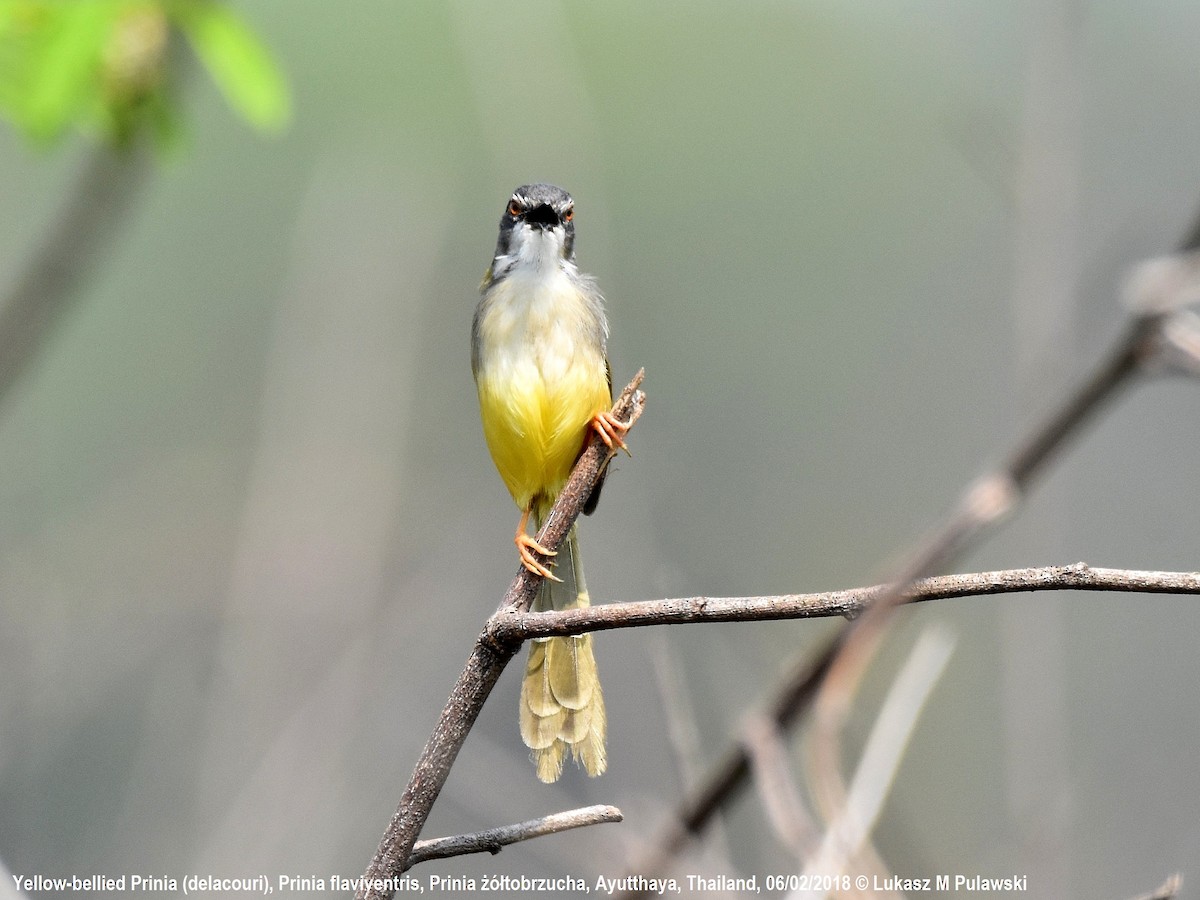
[[507, 628]]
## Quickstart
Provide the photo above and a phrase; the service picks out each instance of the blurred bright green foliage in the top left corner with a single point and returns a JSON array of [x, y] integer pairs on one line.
[[105, 67]]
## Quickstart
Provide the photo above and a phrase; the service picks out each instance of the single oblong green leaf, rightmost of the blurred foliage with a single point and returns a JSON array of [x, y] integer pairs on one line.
[[238, 62]]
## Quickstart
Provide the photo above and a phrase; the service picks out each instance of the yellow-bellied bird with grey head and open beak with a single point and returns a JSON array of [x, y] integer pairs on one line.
[[539, 358]]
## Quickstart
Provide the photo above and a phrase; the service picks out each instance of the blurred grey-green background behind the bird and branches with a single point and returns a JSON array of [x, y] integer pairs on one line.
[[249, 529]]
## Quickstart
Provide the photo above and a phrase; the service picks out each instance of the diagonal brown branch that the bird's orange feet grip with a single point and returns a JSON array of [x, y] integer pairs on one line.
[[483, 670]]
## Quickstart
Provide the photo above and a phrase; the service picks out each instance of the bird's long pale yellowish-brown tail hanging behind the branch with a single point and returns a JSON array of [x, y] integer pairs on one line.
[[562, 706]]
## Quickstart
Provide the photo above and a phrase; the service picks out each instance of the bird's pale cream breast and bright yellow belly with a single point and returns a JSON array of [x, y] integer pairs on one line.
[[542, 377]]
